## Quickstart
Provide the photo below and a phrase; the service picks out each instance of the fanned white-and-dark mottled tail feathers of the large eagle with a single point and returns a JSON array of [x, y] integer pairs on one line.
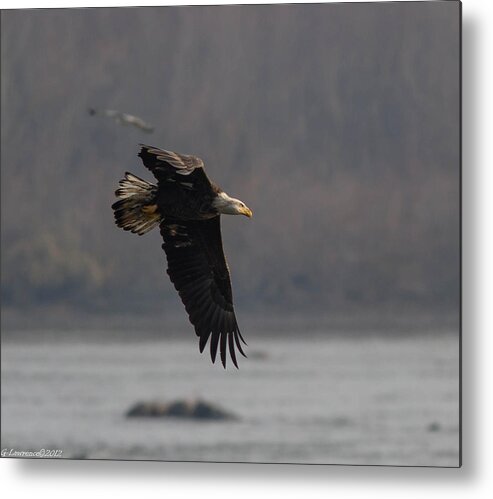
[[136, 210]]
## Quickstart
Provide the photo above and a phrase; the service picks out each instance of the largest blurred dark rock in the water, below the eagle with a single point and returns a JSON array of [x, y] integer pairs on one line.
[[188, 409]]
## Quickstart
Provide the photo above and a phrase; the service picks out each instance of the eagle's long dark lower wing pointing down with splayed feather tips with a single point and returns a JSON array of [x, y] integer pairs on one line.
[[198, 269]]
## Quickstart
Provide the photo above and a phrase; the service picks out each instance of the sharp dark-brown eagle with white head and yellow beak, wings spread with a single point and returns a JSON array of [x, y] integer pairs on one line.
[[187, 206]]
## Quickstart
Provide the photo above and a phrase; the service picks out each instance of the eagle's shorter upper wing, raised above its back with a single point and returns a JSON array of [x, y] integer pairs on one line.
[[168, 166]]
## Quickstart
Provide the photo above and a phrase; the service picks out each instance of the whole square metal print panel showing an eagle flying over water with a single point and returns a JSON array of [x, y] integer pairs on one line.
[[232, 233]]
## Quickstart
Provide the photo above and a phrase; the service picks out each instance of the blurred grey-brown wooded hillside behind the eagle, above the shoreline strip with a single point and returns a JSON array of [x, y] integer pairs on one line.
[[337, 124]]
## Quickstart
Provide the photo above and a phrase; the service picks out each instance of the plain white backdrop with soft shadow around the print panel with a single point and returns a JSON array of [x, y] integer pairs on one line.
[[79, 479]]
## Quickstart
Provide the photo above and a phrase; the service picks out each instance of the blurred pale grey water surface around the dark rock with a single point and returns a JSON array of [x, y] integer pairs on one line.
[[365, 399]]
